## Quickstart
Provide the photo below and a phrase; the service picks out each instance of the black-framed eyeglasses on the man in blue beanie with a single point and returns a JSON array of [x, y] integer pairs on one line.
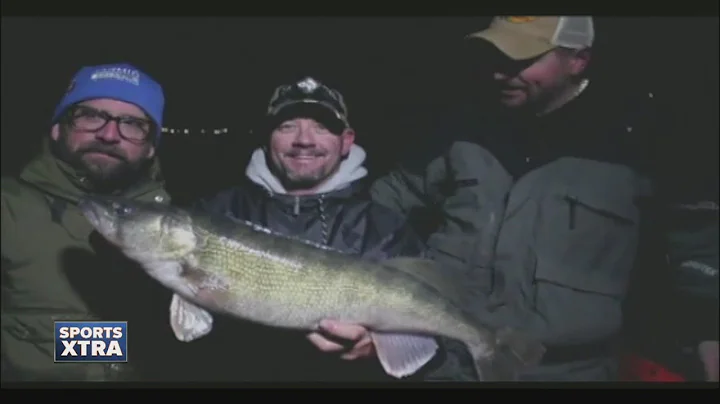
[[92, 120]]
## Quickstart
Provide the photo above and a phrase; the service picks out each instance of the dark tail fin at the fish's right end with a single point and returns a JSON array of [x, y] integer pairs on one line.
[[513, 352]]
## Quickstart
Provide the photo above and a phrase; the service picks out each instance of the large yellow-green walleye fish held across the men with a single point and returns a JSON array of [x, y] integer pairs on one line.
[[216, 264]]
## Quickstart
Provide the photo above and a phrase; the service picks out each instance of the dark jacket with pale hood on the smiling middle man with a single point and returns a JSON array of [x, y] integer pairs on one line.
[[343, 218]]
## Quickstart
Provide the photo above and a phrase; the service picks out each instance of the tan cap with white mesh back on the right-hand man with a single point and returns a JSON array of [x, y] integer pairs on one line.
[[526, 37]]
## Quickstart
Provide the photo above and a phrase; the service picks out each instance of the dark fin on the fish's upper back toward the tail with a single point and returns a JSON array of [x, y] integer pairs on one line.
[[430, 273]]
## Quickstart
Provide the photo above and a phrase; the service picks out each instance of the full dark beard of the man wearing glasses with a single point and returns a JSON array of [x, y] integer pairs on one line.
[[117, 173]]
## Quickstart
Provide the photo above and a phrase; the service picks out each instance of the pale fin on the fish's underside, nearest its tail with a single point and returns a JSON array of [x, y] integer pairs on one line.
[[402, 355]]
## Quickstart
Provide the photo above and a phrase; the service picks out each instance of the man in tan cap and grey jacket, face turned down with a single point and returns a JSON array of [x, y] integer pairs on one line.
[[541, 200]]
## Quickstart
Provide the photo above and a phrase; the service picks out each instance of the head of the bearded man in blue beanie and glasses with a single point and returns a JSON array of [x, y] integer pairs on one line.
[[107, 125]]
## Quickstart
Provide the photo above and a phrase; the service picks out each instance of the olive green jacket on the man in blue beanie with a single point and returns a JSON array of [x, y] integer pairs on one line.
[[51, 272]]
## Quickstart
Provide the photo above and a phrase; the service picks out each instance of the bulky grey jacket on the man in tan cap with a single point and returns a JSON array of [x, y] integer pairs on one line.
[[543, 216]]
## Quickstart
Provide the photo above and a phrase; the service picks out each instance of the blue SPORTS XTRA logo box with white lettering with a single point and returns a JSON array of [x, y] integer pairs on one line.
[[91, 341]]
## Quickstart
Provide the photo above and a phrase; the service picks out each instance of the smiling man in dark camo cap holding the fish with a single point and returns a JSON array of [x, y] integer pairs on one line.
[[306, 180]]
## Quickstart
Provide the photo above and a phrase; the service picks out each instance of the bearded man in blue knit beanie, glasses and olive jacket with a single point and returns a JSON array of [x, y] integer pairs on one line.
[[103, 139]]
